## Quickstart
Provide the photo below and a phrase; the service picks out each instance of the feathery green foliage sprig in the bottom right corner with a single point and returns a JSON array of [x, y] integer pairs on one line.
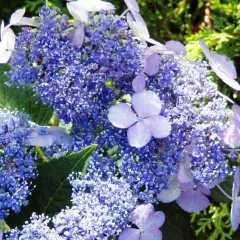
[[213, 223]]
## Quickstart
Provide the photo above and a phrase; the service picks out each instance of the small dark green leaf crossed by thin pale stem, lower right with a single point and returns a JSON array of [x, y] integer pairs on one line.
[[218, 196]]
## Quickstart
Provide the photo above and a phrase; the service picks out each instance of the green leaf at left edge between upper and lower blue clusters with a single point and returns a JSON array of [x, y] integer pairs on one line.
[[24, 100]]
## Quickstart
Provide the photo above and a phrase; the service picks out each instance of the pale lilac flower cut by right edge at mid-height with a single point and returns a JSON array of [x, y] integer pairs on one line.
[[231, 135]]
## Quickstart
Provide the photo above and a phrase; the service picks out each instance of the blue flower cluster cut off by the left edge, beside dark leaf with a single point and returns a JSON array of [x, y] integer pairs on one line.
[[16, 162]]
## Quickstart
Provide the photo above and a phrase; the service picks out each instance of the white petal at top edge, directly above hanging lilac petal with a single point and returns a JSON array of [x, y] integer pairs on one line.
[[77, 12]]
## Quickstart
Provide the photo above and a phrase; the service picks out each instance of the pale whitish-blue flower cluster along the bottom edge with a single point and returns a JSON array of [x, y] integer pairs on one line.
[[98, 212]]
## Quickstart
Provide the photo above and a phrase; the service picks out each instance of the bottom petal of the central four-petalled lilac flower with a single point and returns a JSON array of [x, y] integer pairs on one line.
[[138, 135]]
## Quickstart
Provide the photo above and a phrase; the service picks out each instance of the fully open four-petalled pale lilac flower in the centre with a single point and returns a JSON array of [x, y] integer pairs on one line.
[[145, 122]]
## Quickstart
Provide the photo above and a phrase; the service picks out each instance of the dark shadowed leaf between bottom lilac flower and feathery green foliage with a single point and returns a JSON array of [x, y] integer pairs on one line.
[[177, 224]]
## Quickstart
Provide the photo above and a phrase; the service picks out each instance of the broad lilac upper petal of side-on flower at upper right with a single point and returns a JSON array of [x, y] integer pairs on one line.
[[224, 64]]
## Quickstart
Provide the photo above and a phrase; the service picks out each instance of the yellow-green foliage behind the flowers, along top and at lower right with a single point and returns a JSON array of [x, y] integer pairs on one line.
[[217, 22]]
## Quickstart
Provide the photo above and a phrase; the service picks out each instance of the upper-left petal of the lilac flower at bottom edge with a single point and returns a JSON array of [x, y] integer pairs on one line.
[[140, 216]]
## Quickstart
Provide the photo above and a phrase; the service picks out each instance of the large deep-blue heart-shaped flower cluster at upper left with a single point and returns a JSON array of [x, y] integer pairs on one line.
[[78, 83]]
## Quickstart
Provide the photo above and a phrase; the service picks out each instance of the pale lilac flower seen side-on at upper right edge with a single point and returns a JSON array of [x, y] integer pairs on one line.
[[222, 66]]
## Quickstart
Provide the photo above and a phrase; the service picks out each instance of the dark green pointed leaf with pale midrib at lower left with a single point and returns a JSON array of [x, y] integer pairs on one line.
[[53, 190]]
